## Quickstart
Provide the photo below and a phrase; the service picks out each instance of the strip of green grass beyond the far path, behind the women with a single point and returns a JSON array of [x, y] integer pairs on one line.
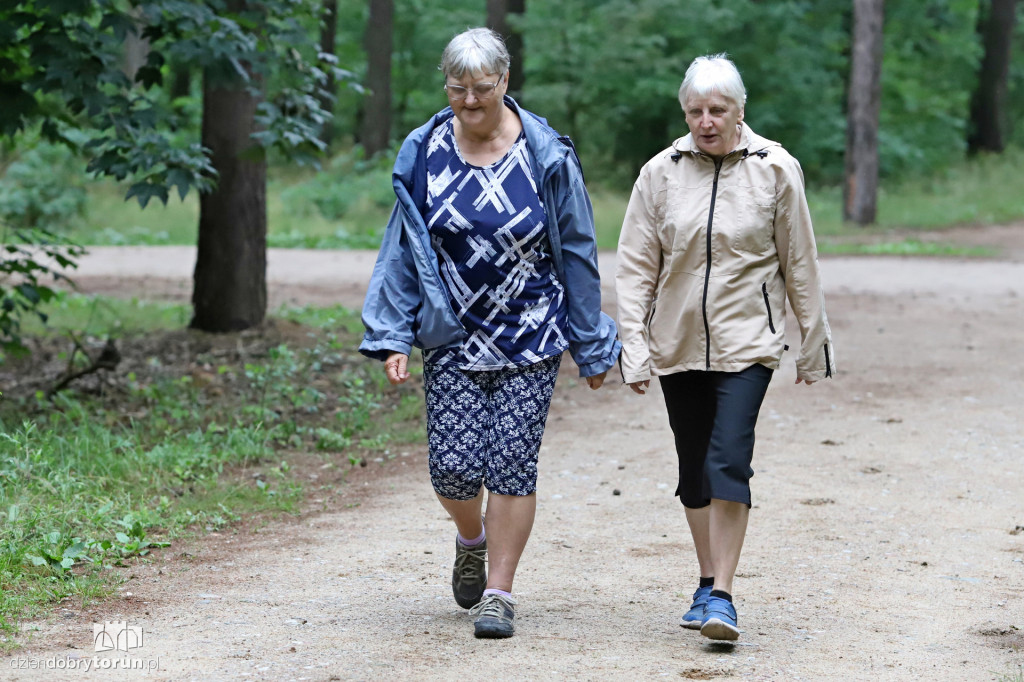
[[348, 206]]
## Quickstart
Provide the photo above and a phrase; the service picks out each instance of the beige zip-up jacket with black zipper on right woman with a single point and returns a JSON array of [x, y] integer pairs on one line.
[[709, 254]]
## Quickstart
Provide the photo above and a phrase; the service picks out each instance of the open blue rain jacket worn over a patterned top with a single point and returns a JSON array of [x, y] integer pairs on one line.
[[408, 304]]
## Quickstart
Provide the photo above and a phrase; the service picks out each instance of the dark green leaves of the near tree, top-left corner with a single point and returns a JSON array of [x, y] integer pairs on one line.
[[63, 69]]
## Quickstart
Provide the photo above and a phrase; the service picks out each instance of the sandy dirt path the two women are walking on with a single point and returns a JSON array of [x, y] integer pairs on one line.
[[887, 540]]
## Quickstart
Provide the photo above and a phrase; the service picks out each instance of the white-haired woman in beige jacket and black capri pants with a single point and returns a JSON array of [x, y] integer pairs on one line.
[[716, 238]]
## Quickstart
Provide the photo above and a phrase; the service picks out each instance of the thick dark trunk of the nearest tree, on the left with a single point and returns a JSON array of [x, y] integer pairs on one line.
[[230, 289]]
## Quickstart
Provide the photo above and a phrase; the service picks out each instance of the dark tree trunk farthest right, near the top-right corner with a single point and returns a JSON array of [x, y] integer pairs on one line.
[[996, 28]]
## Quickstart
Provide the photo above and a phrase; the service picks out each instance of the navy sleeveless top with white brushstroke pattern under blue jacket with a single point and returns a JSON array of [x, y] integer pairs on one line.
[[487, 226]]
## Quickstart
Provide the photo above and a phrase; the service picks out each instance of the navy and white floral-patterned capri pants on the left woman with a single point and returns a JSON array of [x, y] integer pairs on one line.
[[486, 428]]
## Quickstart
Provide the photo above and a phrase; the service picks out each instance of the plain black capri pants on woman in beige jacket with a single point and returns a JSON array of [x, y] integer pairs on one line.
[[712, 415]]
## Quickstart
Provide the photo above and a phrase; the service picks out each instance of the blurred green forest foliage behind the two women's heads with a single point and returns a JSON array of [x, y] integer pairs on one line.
[[608, 72]]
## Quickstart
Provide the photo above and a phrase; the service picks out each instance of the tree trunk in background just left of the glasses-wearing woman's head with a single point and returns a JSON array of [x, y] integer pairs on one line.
[[376, 125]]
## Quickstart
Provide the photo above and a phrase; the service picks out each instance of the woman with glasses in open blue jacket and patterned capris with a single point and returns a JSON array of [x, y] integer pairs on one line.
[[489, 265]]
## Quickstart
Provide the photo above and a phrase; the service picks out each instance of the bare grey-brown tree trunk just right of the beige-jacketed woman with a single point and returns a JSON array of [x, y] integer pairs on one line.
[[864, 105]]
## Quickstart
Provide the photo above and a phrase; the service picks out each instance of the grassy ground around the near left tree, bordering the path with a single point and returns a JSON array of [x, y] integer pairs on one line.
[[180, 443]]
